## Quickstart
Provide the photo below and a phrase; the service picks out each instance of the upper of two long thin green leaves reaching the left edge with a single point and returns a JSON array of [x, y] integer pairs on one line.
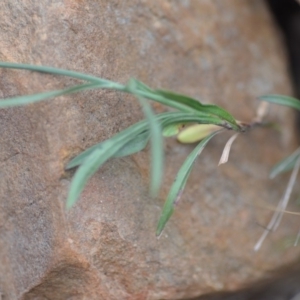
[[62, 72]]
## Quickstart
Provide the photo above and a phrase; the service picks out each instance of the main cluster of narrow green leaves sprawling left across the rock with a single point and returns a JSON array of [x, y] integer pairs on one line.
[[135, 137]]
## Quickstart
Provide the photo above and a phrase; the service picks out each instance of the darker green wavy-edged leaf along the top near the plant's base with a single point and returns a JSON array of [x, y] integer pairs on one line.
[[196, 105]]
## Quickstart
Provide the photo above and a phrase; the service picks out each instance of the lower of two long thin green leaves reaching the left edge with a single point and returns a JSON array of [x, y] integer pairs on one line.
[[22, 100]]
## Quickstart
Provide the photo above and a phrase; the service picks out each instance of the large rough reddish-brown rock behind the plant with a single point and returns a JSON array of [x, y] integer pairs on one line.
[[224, 52]]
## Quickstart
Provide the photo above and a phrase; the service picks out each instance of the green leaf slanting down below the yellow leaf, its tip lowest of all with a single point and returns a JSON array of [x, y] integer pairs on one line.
[[179, 184]]
